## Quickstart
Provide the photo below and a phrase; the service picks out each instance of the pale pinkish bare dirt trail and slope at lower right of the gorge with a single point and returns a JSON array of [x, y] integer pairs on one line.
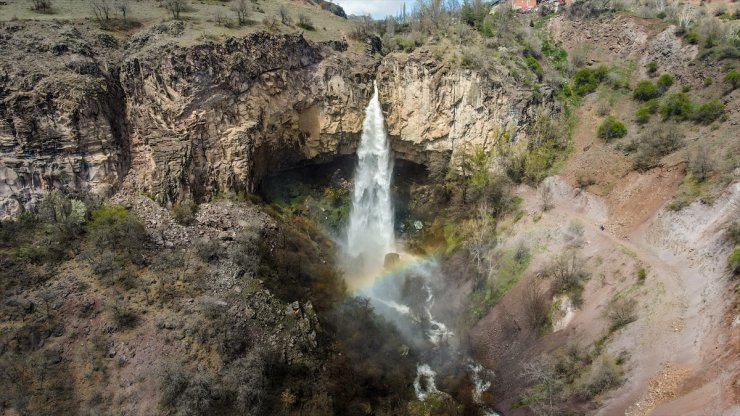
[[682, 306]]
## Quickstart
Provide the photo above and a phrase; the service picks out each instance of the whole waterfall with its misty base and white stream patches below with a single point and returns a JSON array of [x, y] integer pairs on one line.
[[370, 239]]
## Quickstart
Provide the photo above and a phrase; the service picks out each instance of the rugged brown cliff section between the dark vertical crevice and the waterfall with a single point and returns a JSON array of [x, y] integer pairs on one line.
[[217, 117]]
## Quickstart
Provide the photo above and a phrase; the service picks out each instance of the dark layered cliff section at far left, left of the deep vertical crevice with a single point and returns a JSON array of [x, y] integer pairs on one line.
[[62, 115]]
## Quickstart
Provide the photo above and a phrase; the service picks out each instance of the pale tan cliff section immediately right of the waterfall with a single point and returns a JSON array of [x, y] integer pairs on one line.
[[432, 108]]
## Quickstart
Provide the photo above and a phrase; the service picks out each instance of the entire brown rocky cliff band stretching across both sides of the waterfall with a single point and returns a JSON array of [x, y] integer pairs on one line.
[[185, 122]]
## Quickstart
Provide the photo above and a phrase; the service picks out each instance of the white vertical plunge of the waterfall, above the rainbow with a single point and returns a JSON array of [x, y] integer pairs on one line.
[[370, 228]]
